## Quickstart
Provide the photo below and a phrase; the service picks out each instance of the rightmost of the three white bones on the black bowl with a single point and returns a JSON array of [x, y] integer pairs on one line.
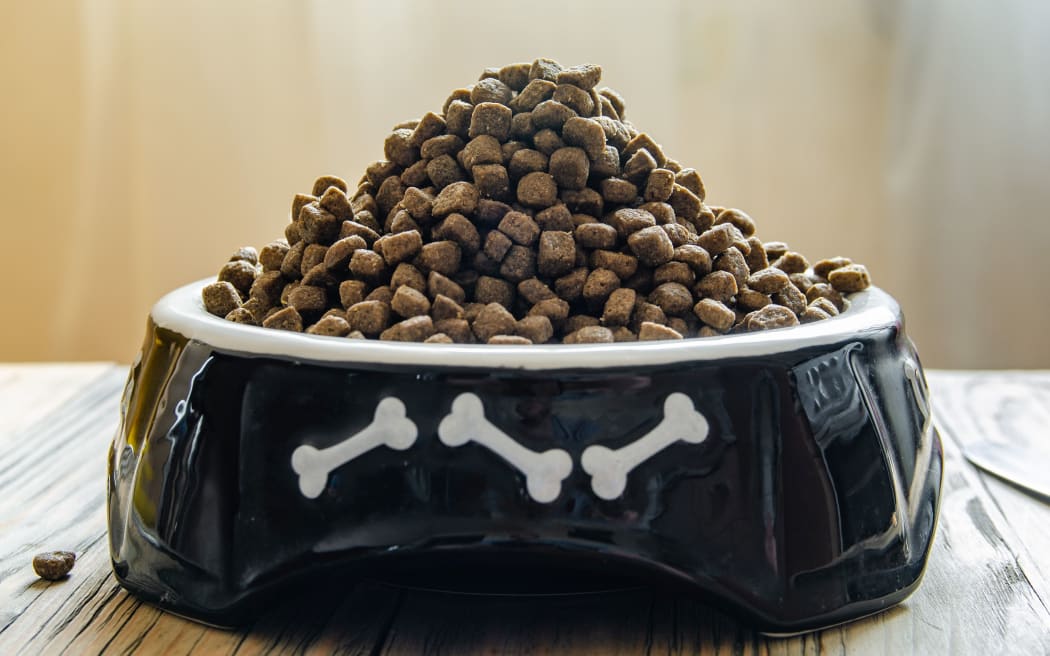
[[610, 469]]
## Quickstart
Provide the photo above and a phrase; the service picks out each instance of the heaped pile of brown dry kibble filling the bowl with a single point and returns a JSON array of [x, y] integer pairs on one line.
[[529, 211]]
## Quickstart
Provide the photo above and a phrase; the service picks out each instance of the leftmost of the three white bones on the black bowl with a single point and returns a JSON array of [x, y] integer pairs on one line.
[[390, 428]]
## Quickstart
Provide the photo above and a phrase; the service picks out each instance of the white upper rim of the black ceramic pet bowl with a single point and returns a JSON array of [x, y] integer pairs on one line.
[[183, 312]]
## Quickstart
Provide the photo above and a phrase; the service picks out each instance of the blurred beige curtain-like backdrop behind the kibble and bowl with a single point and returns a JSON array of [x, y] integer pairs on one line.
[[143, 142]]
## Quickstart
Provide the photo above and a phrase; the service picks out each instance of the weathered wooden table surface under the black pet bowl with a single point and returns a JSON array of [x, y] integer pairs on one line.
[[986, 590]]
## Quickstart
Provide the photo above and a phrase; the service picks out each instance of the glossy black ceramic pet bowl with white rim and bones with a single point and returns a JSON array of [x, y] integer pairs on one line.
[[791, 477]]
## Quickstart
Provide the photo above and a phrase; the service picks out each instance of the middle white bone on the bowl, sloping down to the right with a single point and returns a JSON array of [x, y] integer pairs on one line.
[[544, 472]]
